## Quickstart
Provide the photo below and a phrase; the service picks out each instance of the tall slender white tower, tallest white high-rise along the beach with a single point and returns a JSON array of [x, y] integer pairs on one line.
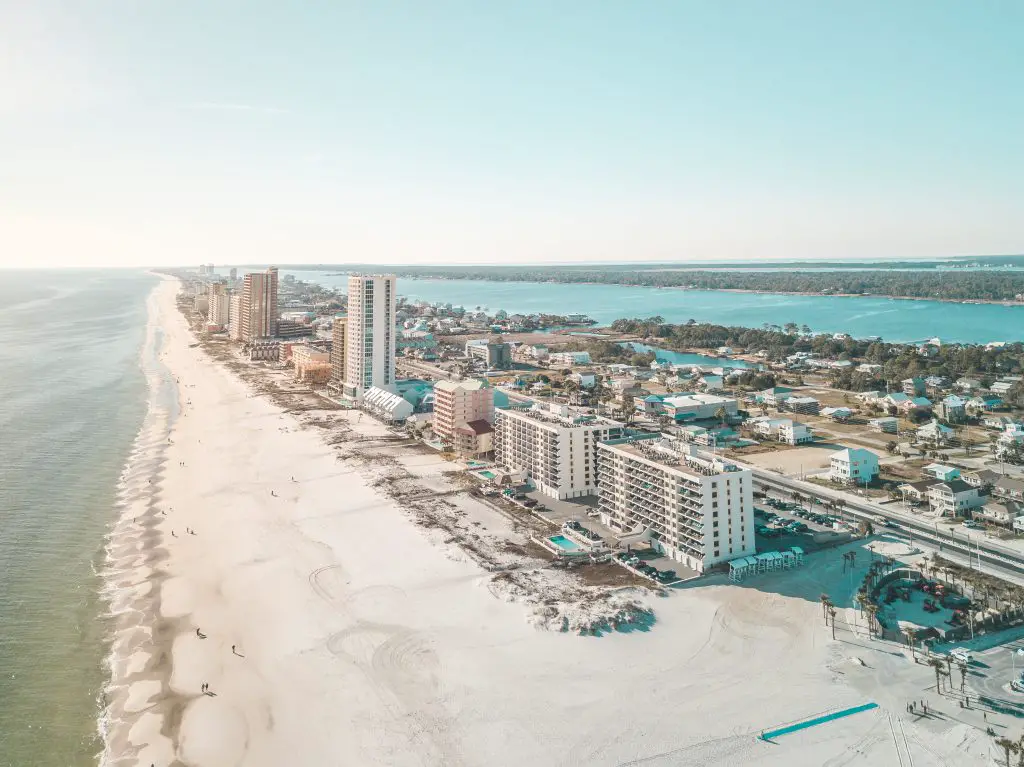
[[370, 339]]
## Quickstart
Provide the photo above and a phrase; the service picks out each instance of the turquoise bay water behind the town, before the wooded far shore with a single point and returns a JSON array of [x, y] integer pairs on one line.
[[893, 320]]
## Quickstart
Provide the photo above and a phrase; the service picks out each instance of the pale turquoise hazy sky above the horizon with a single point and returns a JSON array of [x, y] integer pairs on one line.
[[180, 132]]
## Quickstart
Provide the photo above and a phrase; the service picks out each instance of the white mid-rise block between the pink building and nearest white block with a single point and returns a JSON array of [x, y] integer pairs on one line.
[[556, 448]]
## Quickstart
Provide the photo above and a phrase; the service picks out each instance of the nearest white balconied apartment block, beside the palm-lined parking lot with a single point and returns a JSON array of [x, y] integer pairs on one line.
[[696, 507]]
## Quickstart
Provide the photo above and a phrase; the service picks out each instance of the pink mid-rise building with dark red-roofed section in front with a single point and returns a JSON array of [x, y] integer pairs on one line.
[[464, 415]]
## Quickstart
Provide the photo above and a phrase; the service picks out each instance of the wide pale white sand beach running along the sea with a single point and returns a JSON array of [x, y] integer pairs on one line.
[[363, 638]]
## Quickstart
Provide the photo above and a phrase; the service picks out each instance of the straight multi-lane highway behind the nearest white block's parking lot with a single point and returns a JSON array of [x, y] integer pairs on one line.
[[965, 548]]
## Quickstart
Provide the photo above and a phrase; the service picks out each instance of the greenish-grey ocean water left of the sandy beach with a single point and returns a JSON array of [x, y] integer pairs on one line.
[[72, 401]]
